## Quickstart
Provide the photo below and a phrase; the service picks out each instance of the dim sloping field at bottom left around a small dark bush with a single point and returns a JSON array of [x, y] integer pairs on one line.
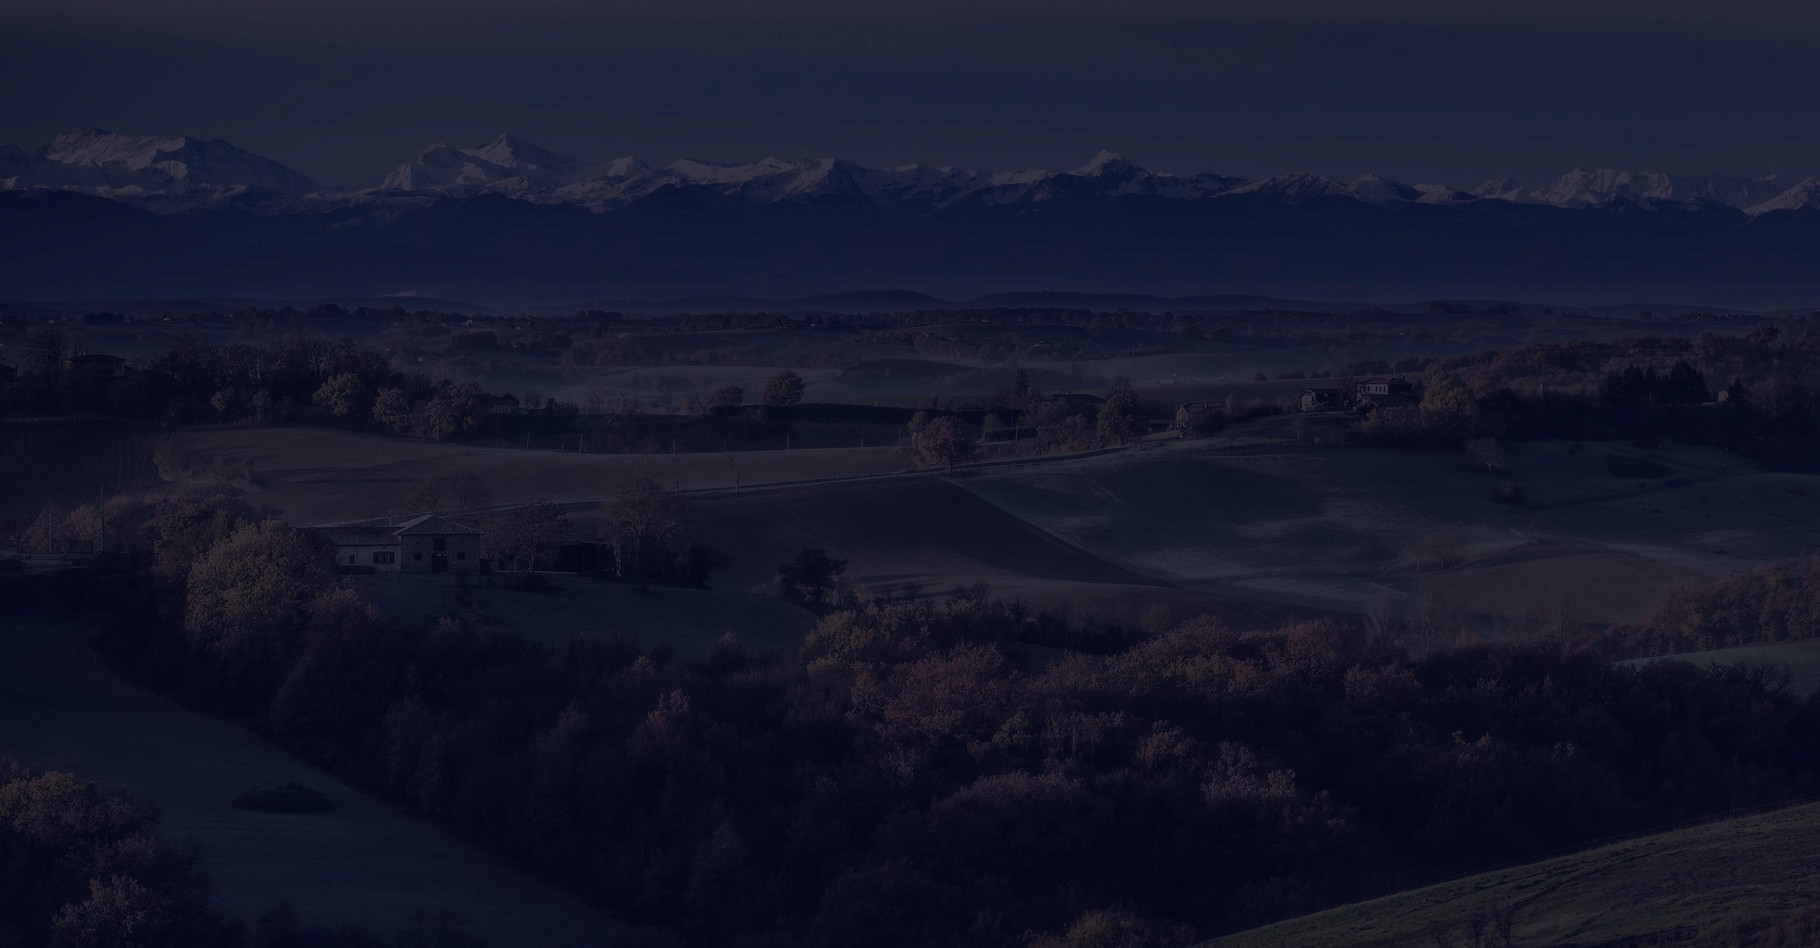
[[361, 863]]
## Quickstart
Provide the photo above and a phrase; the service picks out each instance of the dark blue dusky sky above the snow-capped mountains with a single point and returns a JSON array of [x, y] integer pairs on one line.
[[1417, 90]]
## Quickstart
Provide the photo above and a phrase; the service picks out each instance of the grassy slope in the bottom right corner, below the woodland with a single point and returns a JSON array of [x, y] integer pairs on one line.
[[1666, 889]]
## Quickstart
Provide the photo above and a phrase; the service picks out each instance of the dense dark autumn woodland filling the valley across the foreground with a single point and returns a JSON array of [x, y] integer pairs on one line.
[[956, 772]]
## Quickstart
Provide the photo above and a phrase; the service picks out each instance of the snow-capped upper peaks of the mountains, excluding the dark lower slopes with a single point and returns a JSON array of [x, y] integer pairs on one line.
[[132, 166]]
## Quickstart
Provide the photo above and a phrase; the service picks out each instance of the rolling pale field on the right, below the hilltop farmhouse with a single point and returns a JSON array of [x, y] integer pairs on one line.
[[1339, 529]]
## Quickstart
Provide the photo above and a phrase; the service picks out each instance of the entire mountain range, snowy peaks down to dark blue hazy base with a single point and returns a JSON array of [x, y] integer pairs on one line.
[[97, 212]]
